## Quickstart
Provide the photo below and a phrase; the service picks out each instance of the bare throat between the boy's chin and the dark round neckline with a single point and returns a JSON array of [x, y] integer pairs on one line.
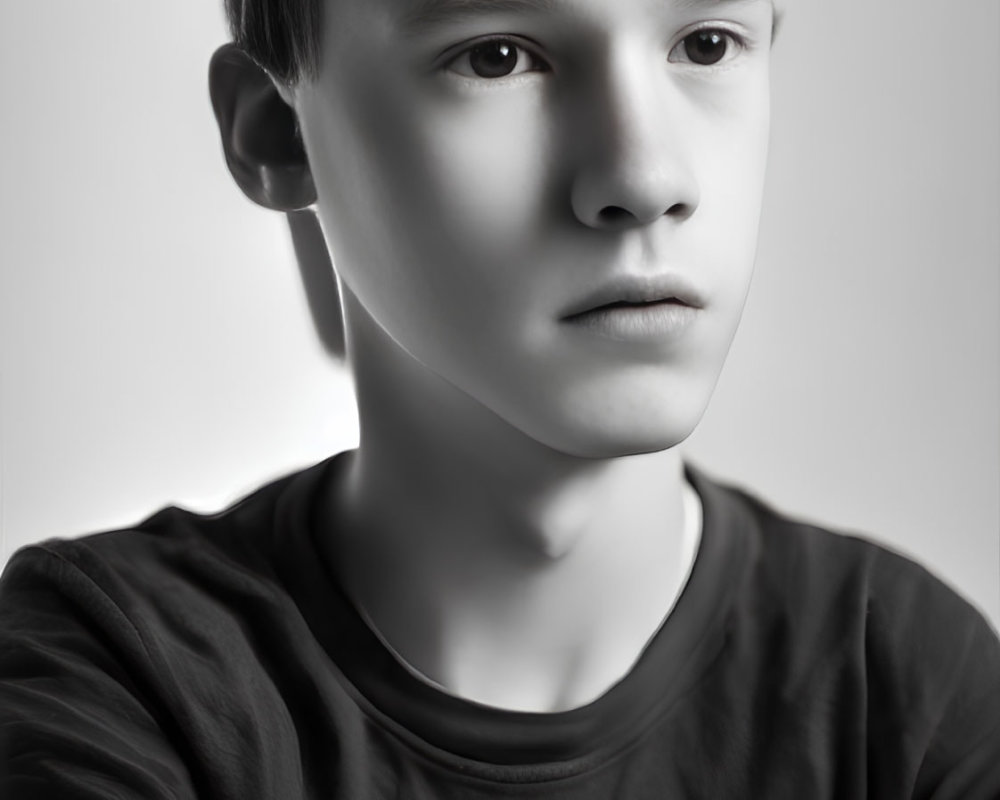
[[544, 605]]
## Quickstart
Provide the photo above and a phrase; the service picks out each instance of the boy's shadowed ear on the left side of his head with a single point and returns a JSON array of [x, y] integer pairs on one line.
[[260, 133]]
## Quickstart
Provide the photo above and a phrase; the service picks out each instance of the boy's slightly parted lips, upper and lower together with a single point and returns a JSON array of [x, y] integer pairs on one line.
[[639, 308]]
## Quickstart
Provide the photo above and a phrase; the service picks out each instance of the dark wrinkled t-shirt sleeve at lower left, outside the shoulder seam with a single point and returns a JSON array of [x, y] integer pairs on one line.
[[76, 720]]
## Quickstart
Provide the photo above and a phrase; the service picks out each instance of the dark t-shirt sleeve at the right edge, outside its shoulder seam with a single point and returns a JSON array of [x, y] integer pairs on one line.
[[935, 666]]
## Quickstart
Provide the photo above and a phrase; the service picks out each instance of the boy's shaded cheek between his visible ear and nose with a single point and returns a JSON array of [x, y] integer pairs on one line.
[[432, 212]]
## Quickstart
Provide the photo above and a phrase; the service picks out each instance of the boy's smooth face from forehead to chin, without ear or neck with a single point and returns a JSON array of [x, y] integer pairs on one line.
[[487, 170]]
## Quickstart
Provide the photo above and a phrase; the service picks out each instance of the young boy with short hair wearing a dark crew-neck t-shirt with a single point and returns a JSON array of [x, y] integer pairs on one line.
[[543, 215]]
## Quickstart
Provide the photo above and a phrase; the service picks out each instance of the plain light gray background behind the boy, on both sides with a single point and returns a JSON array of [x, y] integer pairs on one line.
[[156, 345]]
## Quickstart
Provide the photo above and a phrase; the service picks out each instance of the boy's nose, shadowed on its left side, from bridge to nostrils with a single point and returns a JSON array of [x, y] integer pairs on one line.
[[630, 142]]
